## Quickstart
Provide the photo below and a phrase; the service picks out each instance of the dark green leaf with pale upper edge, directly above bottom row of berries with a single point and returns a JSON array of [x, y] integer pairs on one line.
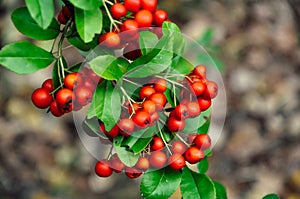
[[139, 140]]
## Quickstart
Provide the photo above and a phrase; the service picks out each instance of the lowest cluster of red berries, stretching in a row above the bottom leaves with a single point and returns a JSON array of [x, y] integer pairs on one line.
[[180, 152]]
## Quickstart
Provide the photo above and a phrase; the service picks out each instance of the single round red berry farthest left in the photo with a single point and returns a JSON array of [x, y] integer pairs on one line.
[[41, 98]]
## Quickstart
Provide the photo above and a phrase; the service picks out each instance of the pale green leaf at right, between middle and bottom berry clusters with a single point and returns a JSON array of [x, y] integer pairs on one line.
[[193, 124]]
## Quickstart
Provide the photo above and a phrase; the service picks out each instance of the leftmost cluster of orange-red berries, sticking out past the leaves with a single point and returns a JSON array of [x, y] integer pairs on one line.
[[75, 92]]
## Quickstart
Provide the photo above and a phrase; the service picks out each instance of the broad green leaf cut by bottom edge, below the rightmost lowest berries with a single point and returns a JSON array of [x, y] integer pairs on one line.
[[196, 186]]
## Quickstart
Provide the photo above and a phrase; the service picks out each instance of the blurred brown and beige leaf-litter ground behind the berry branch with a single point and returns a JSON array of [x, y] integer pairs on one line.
[[41, 157]]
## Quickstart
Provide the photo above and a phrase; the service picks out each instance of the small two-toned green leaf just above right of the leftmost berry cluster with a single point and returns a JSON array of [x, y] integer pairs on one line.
[[107, 67]]
